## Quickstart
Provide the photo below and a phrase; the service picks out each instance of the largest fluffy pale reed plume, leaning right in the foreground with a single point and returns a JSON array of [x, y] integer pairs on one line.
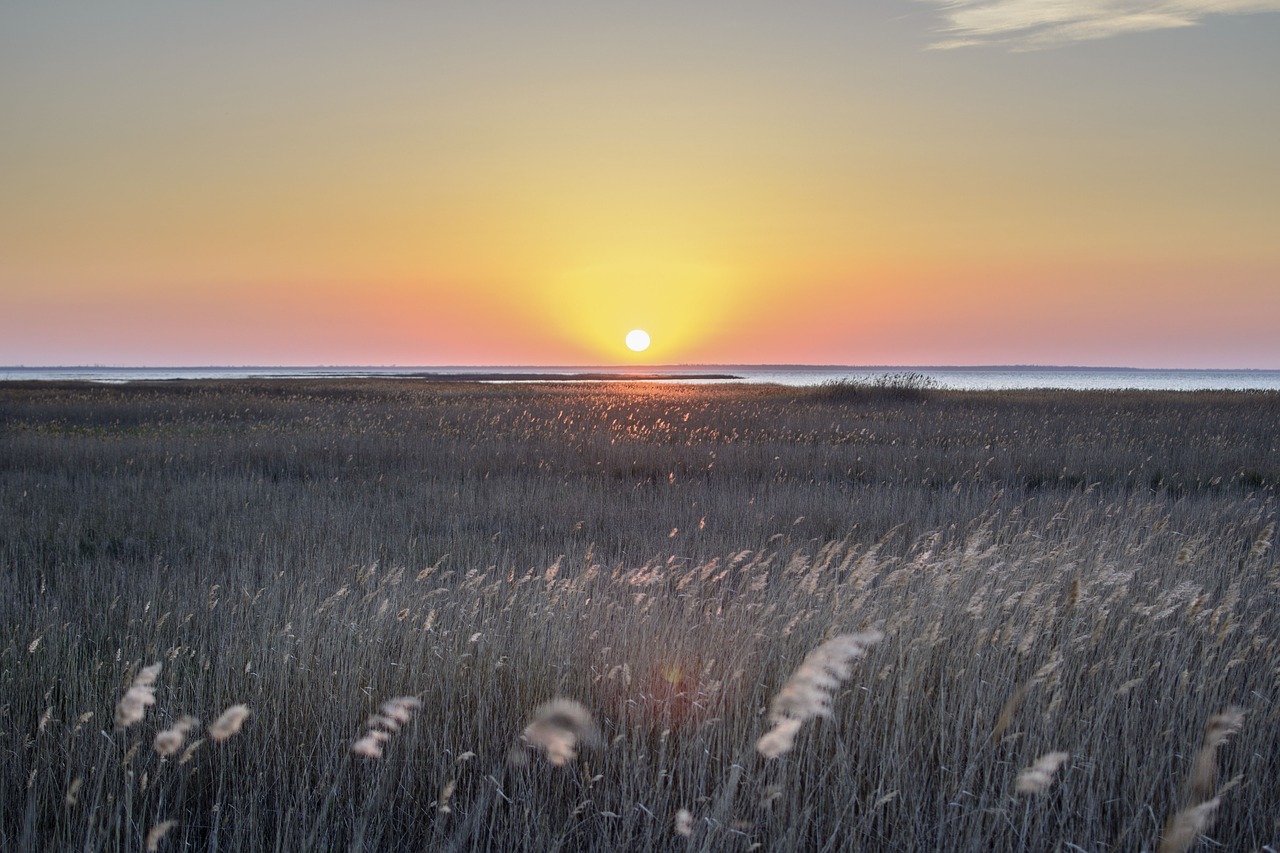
[[808, 694]]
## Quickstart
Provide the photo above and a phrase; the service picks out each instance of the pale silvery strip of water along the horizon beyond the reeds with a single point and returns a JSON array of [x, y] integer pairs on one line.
[[995, 378]]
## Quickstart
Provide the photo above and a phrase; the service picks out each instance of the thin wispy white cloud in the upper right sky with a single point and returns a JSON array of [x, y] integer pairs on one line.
[[1031, 25]]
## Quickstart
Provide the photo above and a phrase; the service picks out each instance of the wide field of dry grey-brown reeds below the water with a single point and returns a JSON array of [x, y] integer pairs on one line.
[[1091, 574]]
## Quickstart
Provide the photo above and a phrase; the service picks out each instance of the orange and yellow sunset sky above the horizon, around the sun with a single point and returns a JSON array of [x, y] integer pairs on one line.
[[853, 183]]
